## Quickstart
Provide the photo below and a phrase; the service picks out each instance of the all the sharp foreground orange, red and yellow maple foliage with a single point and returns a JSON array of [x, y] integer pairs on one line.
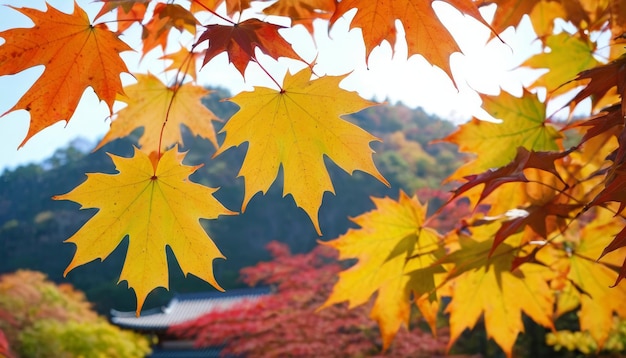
[[546, 234]]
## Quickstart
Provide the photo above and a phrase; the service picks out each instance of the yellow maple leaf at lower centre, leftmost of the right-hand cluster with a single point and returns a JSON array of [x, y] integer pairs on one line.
[[391, 242]]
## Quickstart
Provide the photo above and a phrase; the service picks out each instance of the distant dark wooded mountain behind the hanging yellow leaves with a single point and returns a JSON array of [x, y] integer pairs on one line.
[[33, 226]]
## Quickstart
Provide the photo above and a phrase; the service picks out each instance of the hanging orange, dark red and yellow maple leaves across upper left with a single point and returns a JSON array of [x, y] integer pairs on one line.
[[305, 108]]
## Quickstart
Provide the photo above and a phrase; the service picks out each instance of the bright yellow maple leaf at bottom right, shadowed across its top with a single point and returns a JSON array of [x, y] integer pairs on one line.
[[488, 286]]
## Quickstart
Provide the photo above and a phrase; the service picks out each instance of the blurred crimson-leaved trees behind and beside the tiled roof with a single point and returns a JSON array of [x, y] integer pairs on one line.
[[287, 322]]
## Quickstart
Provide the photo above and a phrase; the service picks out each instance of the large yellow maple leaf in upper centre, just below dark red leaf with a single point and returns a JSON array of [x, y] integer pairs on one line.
[[295, 128]]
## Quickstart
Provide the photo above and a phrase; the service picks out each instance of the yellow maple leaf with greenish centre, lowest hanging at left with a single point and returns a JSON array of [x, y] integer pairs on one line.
[[155, 204]]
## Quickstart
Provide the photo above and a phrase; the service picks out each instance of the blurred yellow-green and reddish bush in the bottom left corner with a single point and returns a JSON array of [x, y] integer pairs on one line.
[[41, 319]]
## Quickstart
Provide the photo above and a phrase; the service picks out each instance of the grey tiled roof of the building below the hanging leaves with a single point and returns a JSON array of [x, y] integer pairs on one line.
[[186, 307]]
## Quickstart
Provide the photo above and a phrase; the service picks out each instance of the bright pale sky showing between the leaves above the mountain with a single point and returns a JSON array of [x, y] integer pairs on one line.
[[484, 66]]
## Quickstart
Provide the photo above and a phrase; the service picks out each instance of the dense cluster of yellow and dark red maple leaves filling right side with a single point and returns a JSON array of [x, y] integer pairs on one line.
[[547, 234]]
